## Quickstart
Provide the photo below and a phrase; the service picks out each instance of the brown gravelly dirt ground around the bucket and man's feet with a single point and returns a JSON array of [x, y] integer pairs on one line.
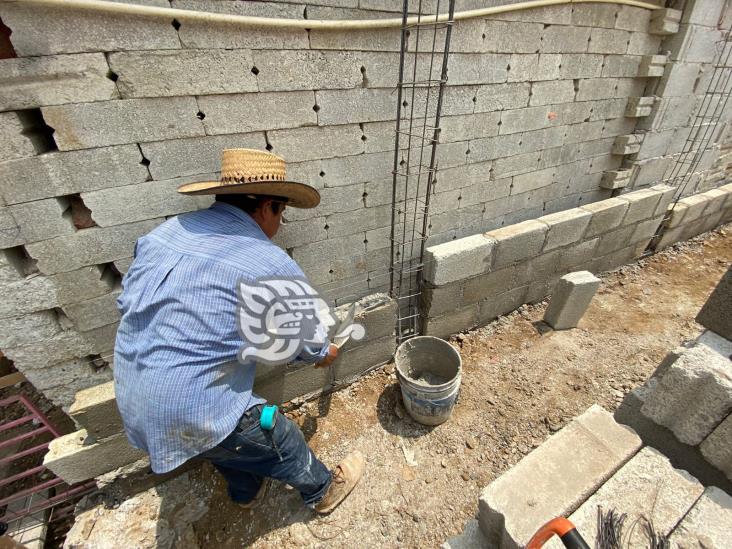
[[520, 384]]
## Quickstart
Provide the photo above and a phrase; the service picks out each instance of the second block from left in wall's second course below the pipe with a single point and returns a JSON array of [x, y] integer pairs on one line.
[[183, 72]]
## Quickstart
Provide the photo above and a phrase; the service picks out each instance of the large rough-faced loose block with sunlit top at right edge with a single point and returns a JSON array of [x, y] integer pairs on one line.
[[693, 396]]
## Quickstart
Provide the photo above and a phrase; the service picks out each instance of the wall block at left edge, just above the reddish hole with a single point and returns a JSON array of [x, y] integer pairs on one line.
[[70, 173]]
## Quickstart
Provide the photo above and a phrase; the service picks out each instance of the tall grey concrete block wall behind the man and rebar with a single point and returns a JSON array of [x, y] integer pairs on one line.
[[104, 116]]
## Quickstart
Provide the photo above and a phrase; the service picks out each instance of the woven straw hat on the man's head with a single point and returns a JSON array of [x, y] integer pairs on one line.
[[249, 171]]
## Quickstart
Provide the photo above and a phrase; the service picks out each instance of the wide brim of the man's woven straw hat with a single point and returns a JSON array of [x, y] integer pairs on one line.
[[299, 195]]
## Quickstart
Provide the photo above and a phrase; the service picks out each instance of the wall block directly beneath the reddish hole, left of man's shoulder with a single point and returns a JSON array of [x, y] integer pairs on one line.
[[88, 247]]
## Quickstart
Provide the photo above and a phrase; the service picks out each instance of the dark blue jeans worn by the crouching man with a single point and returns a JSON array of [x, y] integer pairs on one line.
[[250, 453]]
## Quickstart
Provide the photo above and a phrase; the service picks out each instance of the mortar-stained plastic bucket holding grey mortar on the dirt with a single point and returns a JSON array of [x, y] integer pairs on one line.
[[429, 370]]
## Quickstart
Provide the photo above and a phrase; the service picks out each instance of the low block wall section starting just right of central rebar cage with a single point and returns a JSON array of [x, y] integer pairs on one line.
[[475, 279]]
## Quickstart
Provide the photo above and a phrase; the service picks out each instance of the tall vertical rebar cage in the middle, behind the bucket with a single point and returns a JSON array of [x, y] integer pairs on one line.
[[425, 47]]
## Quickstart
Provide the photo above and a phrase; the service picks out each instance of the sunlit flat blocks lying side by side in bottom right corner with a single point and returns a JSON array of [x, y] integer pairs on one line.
[[594, 463]]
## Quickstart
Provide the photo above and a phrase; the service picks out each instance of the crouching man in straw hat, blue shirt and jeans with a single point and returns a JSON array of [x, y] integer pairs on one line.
[[180, 390]]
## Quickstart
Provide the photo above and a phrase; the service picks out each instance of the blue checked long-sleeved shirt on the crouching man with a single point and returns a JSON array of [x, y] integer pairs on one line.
[[179, 387]]
